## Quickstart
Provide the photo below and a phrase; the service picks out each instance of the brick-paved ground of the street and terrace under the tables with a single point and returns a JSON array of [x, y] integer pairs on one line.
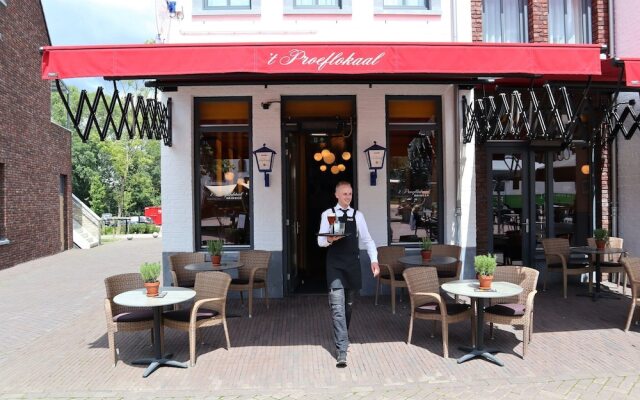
[[53, 345]]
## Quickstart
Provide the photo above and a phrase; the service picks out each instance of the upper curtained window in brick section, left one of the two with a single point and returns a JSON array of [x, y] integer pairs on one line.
[[504, 21]]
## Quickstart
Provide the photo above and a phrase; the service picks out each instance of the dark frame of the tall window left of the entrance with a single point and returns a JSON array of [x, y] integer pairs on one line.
[[197, 234]]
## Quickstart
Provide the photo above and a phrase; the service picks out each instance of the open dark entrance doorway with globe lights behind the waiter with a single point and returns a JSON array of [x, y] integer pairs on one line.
[[318, 138]]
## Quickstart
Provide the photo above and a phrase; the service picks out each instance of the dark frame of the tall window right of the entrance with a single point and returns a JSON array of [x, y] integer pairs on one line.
[[440, 165]]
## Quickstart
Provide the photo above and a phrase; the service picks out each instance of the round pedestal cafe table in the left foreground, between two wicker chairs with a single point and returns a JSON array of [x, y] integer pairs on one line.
[[139, 298]]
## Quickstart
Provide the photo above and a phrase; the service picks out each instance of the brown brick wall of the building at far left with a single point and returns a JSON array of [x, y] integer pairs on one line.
[[33, 151]]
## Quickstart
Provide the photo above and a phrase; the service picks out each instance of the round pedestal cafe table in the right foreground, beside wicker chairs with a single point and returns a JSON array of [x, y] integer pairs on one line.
[[471, 288]]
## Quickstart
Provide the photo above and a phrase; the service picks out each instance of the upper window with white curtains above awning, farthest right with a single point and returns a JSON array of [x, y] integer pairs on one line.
[[569, 21]]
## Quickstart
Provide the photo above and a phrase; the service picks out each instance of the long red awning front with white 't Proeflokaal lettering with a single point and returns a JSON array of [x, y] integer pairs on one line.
[[456, 59]]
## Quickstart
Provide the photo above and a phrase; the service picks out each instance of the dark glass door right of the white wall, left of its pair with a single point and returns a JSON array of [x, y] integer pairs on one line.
[[510, 205]]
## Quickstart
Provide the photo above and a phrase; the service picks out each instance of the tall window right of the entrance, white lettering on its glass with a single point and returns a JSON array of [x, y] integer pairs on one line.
[[414, 168]]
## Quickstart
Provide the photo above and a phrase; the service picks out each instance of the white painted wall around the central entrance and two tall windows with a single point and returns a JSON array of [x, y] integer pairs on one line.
[[177, 161]]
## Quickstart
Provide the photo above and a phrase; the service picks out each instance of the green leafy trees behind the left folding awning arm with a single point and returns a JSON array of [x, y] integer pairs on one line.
[[117, 176]]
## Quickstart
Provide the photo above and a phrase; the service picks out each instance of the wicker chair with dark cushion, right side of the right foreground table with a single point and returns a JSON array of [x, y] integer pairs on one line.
[[515, 310]]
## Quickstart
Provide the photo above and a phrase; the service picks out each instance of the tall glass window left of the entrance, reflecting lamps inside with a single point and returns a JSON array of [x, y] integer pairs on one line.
[[223, 165]]
